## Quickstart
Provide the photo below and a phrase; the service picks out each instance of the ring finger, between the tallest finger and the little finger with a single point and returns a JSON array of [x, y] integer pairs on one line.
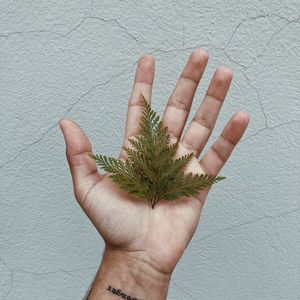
[[205, 118]]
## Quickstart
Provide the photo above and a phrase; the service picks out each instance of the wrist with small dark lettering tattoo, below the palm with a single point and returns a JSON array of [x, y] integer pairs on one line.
[[127, 276]]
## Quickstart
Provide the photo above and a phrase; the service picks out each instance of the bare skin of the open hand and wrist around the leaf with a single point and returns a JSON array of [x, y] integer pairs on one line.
[[151, 241]]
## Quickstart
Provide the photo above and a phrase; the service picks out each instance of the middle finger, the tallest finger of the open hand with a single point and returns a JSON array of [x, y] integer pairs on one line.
[[179, 103]]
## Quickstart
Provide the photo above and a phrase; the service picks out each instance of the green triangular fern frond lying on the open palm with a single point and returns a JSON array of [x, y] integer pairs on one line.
[[150, 170]]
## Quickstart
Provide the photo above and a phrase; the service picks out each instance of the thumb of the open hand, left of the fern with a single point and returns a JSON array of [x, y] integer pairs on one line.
[[83, 168]]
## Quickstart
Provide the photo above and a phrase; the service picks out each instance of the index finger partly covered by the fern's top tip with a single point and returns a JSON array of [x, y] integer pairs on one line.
[[143, 82]]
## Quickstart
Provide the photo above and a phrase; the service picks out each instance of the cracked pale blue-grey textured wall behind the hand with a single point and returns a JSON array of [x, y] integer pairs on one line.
[[77, 59]]
